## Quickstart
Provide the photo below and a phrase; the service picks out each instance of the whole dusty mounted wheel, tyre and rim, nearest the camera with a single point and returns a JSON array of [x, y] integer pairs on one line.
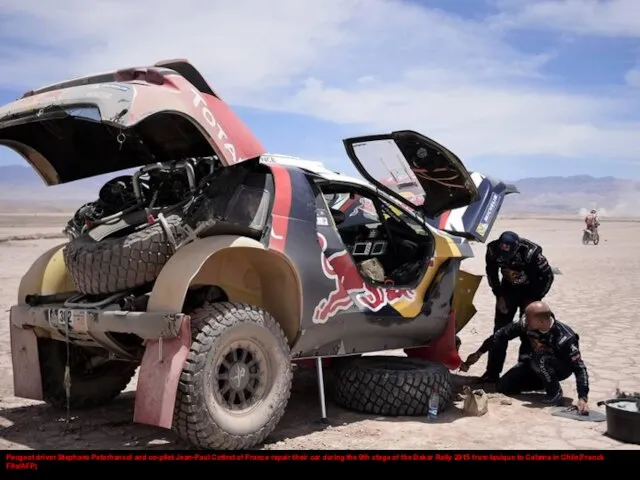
[[236, 381]]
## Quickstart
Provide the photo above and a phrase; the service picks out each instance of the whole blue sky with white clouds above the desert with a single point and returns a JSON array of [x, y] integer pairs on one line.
[[517, 88]]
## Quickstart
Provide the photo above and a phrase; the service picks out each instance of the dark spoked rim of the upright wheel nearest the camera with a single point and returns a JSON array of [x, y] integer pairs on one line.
[[239, 380]]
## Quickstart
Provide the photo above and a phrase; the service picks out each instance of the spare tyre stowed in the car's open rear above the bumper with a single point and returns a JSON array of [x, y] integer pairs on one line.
[[121, 263]]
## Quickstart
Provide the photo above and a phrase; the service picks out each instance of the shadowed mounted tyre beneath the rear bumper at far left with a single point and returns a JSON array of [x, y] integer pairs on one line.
[[87, 391]]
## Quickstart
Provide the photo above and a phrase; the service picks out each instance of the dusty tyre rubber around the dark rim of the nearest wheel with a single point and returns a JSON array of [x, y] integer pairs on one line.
[[199, 418]]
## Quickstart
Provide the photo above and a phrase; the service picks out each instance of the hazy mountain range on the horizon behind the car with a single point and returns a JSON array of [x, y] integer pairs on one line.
[[22, 189]]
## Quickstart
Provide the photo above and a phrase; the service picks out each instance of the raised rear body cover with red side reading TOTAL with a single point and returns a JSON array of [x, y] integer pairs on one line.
[[124, 119]]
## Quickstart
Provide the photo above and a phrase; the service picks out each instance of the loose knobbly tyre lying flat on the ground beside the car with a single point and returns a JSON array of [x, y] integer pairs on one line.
[[391, 386]]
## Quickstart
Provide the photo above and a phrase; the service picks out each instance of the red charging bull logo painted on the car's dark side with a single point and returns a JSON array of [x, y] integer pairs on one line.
[[350, 289]]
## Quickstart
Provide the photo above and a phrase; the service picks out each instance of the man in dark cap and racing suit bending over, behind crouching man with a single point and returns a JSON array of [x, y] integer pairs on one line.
[[526, 277]]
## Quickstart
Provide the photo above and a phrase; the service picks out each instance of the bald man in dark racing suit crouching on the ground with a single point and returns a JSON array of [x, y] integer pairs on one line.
[[549, 354]]
